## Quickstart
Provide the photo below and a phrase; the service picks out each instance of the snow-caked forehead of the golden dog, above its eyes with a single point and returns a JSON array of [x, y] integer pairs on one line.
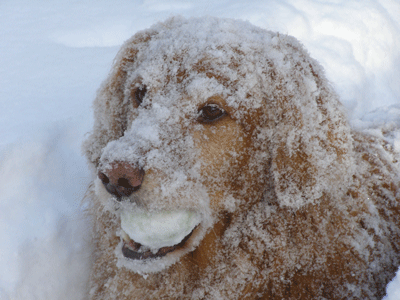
[[202, 58]]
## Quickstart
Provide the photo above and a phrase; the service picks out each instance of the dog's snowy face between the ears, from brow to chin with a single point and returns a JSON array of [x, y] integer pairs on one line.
[[183, 151]]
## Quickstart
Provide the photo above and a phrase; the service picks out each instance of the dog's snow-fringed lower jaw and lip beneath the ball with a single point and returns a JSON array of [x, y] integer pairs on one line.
[[143, 260]]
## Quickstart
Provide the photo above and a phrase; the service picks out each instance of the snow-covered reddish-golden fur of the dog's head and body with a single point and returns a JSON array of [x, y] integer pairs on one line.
[[239, 126]]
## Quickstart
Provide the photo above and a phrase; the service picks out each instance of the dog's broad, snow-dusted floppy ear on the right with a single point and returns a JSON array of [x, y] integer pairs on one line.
[[309, 142]]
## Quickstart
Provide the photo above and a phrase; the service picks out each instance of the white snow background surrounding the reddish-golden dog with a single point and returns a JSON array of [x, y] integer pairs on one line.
[[53, 56]]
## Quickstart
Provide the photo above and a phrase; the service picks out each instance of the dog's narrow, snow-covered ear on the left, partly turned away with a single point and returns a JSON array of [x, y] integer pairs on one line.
[[111, 105]]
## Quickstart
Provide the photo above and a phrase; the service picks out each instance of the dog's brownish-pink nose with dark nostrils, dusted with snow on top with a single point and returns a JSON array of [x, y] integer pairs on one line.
[[122, 179]]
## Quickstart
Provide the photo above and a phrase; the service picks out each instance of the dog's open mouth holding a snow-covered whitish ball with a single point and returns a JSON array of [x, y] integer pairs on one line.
[[152, 235]]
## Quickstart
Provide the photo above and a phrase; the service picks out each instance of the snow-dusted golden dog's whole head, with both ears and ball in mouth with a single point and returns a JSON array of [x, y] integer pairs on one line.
[[198, 120]]
